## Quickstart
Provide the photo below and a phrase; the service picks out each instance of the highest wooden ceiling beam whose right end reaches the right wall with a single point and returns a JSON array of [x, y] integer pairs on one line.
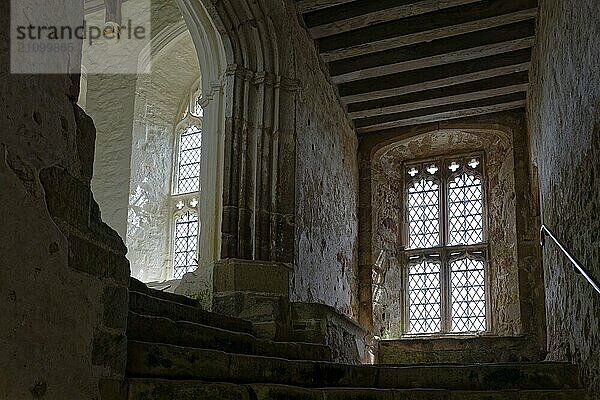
[[425, 28]]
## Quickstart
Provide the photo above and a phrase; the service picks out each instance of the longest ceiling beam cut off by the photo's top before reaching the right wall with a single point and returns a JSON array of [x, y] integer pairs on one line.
[[359, 19]]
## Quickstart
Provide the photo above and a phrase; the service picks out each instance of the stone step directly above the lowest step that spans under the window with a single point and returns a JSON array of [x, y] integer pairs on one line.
[[182, 333]]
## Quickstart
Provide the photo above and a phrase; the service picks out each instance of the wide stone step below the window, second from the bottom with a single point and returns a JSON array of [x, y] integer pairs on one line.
[[174, 362]]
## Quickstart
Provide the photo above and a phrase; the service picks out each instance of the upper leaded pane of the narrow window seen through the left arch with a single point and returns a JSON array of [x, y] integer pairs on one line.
[[188, 172]]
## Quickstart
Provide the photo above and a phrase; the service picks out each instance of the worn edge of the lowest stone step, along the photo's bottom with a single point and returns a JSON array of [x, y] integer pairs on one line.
[[254, 391]]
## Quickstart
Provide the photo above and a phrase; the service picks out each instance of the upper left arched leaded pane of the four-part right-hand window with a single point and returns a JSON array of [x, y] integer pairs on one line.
[[423, 214]]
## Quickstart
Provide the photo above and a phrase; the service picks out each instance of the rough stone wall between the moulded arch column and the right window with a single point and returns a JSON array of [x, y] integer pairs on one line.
[[326, 186]]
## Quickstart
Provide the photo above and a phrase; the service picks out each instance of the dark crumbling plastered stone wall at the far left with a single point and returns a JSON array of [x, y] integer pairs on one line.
[[63, 274]]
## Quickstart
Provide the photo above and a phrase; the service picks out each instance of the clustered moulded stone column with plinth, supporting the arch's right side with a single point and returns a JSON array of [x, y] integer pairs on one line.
[[252, 280]]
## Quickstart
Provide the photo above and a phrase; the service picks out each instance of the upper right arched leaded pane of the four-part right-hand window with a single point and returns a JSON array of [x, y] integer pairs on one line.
[[465, 210]]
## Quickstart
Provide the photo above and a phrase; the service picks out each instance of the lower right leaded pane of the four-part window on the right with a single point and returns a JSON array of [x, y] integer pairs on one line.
[[467, 278]]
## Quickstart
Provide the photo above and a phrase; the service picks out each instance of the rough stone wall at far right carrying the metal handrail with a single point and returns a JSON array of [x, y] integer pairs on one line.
[[564, 121]]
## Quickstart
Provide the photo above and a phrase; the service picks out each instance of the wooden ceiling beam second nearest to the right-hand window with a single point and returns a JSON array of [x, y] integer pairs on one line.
[[471, 91]]
